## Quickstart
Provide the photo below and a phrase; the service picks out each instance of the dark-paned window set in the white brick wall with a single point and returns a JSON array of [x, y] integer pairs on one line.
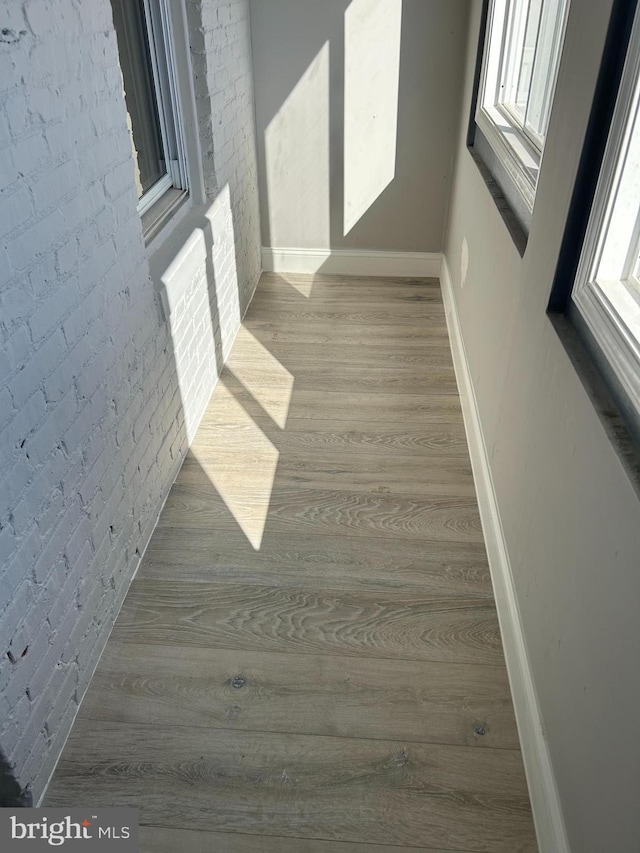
[[143, 30]]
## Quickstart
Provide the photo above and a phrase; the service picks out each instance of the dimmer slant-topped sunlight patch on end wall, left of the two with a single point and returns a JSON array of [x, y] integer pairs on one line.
[[297, 161]]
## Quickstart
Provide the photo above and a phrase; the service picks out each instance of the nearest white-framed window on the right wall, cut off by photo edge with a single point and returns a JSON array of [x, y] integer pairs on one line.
[[606, 292]]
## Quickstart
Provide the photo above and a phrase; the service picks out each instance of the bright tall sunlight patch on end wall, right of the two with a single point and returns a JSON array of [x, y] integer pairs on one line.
[[372, 73]]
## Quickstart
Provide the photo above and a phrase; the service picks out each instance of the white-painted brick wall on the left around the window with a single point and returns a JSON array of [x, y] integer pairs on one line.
[[99, 389]]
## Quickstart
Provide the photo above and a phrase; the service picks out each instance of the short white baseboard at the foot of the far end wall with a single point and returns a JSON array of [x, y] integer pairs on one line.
[[352, 262]]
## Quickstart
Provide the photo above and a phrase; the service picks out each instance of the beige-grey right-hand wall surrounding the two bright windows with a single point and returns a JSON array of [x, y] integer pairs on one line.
[[570, 516]]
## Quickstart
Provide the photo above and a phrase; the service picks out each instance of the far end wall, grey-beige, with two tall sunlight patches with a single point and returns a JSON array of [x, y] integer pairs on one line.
[[379, 180]]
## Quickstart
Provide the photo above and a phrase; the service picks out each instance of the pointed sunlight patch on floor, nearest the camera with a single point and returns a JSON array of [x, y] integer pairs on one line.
[[243, 476]]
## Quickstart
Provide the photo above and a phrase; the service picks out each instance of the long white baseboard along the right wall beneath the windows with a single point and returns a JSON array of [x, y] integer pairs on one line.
[[545, 802]]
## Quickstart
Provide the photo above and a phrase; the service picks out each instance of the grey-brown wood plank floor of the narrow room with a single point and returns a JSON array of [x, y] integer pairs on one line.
[[309, 660]]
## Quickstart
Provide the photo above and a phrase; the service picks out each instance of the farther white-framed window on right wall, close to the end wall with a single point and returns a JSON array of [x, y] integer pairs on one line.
[[520, 62]]
